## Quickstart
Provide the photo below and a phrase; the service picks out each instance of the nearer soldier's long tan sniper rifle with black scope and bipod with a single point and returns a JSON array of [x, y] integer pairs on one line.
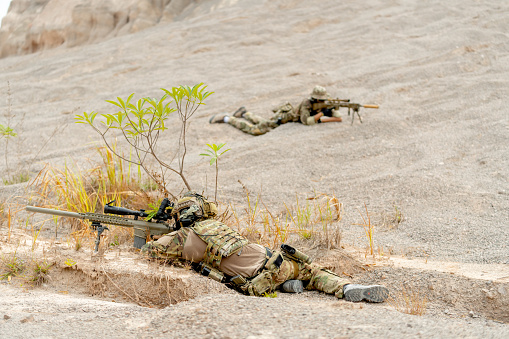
[[158, 224]]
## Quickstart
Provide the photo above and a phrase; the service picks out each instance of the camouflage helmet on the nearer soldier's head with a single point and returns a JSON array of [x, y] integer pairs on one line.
[[193, 207]]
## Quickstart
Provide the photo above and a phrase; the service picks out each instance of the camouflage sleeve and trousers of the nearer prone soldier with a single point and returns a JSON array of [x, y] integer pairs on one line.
[[267, 278]]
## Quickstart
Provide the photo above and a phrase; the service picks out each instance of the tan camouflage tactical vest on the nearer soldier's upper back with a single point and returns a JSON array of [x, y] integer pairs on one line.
[[222, 241]]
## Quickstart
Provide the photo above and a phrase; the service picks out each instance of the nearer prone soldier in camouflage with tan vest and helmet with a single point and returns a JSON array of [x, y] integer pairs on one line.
[[221, 253]]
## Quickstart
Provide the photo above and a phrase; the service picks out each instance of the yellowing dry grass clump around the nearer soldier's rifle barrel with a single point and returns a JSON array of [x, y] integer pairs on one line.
[[76, 190]]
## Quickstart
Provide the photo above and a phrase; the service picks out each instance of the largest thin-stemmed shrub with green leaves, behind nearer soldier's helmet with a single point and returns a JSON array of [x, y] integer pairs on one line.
[[141, 124]]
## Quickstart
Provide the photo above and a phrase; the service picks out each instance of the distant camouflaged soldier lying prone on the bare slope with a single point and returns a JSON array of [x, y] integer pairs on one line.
[[307, 112]]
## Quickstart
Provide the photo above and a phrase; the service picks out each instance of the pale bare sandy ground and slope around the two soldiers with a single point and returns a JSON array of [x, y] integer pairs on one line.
[[436, 149]]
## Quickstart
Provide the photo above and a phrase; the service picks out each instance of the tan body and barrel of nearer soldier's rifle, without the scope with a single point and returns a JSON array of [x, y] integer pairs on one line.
[[142, 229]]
